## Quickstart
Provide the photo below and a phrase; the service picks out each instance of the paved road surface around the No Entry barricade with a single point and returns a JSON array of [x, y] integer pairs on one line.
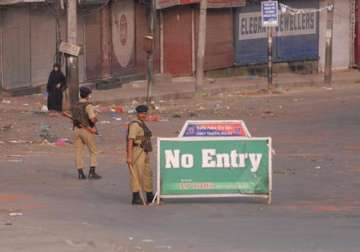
[[316, 203]]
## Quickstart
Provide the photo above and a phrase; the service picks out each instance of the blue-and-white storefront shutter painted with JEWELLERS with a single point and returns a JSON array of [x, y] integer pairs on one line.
[[296, 38]]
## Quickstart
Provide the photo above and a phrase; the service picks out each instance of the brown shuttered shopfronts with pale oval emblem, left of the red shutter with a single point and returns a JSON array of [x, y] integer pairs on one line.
[[111, 36]]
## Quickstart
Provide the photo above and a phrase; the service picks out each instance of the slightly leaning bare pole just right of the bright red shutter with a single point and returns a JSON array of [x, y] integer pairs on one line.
[[201, 45]]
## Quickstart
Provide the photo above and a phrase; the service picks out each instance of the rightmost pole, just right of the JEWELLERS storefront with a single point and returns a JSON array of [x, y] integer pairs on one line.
[[329, 40]]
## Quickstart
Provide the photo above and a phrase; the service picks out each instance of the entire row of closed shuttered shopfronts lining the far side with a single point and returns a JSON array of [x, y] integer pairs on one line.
[[112, 33]]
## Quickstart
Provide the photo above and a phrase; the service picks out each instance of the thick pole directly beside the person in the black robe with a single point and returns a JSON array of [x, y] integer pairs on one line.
[[72, 72]]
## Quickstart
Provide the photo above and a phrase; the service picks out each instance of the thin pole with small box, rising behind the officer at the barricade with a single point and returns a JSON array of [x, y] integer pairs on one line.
[[150, 47]]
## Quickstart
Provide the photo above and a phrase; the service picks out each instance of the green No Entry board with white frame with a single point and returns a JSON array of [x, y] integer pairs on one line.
[[214, 167]]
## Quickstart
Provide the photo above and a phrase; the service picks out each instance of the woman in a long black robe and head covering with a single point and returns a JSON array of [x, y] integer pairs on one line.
[[55, 87]]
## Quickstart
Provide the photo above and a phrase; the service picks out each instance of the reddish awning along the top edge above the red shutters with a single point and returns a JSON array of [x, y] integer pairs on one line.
[[161, 4]]
